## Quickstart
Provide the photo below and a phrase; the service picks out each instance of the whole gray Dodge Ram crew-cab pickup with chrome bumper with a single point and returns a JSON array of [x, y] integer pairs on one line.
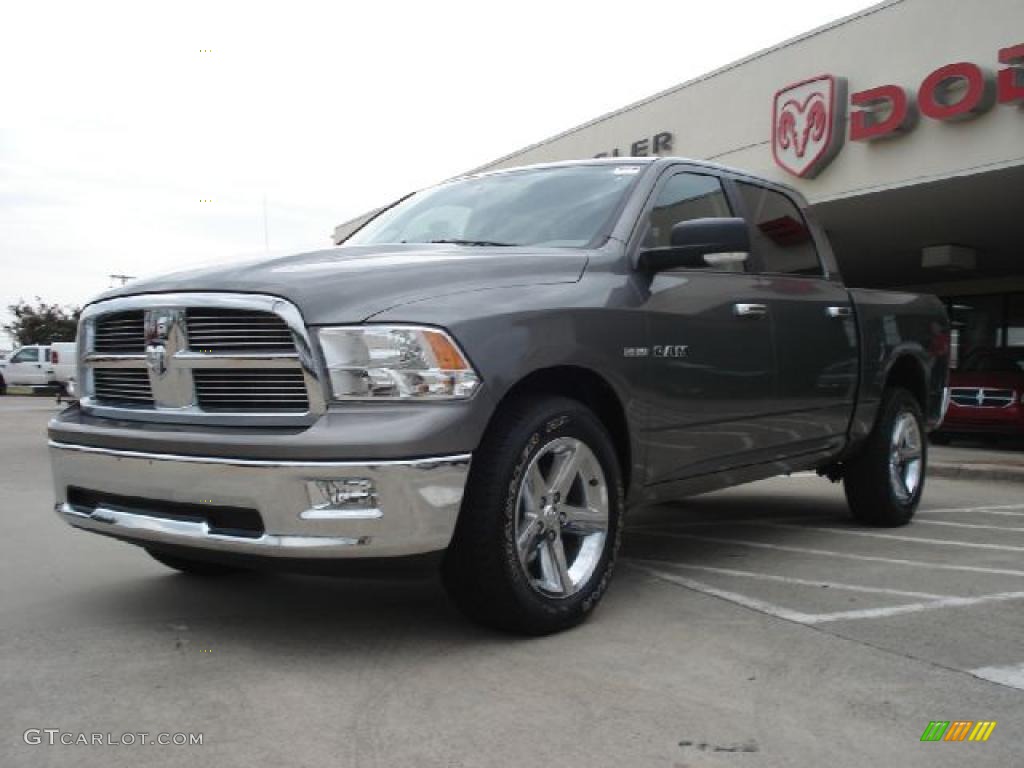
[[488, 373]]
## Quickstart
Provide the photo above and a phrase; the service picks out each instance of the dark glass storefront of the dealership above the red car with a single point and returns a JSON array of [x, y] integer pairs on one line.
[[993, 321]]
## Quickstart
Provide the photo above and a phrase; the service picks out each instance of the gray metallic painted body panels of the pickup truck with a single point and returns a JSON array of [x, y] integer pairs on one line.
[[789, 395]]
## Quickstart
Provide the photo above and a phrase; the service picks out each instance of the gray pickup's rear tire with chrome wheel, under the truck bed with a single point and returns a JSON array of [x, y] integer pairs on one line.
[[885, 481]]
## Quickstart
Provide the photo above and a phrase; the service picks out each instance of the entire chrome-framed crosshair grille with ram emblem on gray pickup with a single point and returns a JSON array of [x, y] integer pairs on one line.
[[199, 358]]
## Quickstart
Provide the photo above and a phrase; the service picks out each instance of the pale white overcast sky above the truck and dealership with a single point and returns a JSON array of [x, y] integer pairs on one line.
[[117, 124]]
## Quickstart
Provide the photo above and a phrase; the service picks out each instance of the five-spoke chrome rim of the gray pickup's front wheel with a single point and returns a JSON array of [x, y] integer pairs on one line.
[[562, 518]]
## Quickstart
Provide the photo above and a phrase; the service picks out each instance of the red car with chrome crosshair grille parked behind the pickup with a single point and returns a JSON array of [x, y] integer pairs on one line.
[[986, 396]]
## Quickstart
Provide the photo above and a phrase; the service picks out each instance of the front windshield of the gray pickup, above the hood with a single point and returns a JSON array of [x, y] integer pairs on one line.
[[567, 206]]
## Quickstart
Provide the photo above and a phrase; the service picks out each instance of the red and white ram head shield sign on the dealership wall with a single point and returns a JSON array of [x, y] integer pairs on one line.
[[809, 124]]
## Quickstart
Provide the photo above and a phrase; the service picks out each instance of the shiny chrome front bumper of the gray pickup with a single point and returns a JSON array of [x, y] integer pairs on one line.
[[412, 510]]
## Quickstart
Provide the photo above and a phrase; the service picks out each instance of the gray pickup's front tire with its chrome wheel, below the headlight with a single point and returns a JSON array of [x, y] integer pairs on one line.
[[541, 521]]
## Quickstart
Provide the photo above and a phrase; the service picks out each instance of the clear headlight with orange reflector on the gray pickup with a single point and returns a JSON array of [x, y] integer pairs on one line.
[[369, 363]]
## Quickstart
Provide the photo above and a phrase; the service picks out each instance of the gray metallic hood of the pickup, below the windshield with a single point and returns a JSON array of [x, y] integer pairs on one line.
[[351, 284]]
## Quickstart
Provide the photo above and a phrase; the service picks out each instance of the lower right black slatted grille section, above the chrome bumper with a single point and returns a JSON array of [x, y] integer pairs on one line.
[[235, 391]]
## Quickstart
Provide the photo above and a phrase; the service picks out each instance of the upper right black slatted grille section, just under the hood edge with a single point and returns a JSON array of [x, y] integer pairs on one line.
[[218, 330]]
